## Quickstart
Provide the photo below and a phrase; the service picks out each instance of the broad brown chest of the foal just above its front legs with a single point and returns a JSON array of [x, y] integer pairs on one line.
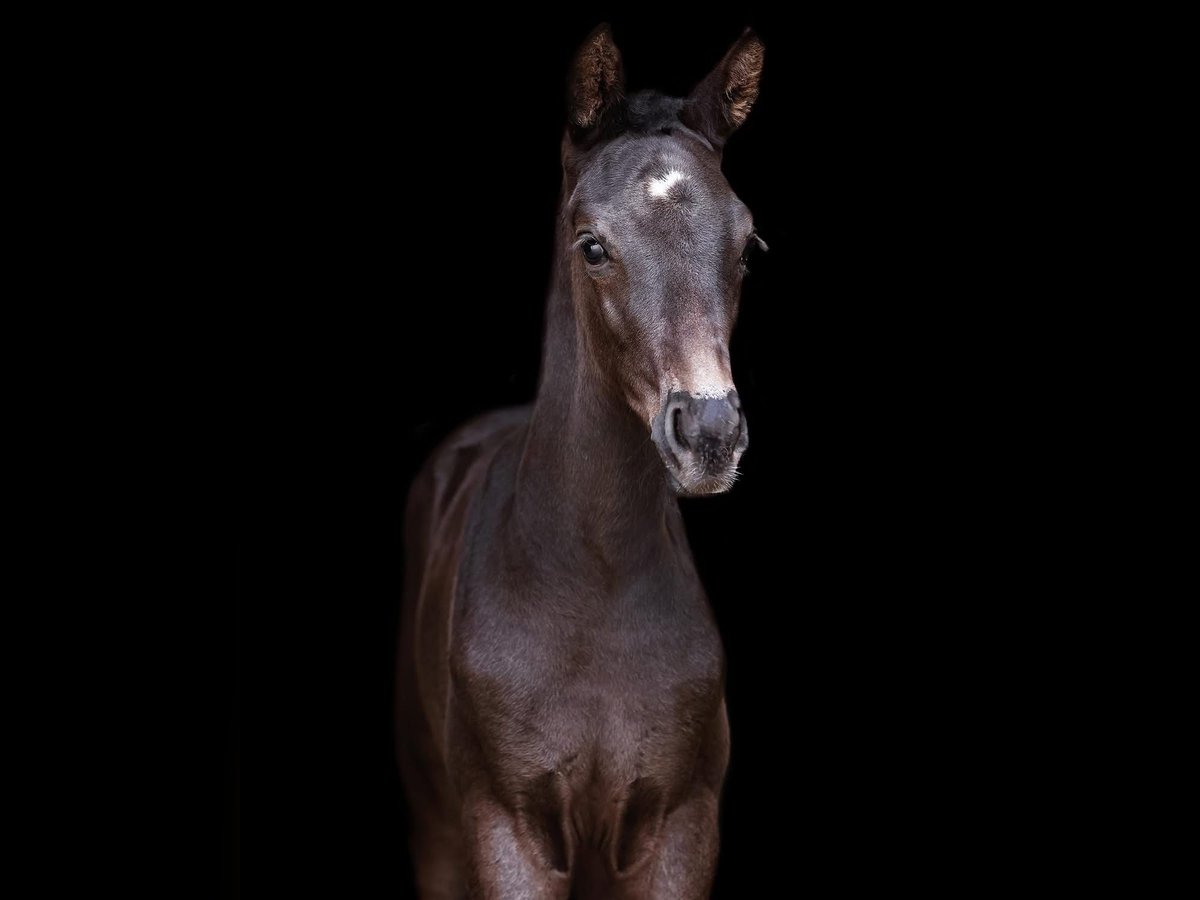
[[631, 689]]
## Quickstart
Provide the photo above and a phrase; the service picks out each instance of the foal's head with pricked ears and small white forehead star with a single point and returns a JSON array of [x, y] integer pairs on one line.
[[662, 245]]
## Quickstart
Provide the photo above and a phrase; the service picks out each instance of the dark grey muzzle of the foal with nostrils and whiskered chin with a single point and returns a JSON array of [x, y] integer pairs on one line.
[[701, 441]]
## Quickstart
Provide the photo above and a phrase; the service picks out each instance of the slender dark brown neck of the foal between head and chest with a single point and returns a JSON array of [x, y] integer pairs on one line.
[[591, 484]]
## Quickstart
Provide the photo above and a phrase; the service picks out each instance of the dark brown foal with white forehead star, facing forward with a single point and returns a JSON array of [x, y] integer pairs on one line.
[[562, 718]]
